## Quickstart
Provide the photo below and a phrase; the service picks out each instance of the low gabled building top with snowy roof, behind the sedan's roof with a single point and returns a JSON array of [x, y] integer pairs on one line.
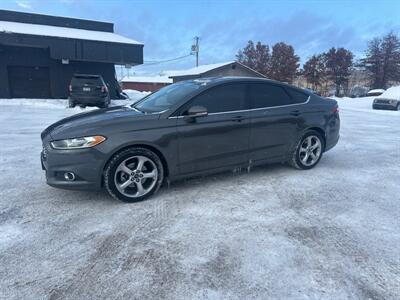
[[230, 68]]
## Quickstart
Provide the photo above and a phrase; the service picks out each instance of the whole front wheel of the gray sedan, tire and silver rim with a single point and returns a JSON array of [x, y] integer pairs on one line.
[[149, 176]]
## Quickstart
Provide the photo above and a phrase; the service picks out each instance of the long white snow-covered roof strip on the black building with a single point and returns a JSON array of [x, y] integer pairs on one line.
[[64, 32]]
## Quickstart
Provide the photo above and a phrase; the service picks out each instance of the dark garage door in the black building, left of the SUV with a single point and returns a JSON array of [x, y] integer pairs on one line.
[[29, 82]]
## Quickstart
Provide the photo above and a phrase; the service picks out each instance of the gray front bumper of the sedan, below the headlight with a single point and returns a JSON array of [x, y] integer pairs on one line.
[[86, 164]]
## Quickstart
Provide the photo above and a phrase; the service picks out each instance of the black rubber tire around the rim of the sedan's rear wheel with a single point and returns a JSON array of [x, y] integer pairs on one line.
[[297, 154]]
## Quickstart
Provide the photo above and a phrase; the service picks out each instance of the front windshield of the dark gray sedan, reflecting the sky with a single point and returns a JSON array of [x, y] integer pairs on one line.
[[166, 97]]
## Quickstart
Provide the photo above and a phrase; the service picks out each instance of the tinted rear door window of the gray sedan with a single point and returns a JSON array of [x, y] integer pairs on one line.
[[269, 95]]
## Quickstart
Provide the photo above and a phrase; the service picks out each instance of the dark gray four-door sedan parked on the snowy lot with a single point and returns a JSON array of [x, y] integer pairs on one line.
[[188, 129]]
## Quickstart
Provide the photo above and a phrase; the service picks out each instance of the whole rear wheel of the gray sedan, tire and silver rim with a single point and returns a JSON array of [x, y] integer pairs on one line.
[[306, 156]]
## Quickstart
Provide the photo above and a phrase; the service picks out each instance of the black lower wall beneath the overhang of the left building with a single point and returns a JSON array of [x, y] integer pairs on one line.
[[60, 75]]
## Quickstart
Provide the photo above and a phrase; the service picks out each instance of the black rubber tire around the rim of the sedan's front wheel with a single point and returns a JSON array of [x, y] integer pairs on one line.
[[111, 170]]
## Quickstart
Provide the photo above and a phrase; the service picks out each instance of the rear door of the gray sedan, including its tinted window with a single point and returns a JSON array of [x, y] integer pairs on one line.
[[274, 121]]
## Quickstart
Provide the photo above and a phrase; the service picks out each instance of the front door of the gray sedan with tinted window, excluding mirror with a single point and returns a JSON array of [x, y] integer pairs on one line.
[[219, 139]]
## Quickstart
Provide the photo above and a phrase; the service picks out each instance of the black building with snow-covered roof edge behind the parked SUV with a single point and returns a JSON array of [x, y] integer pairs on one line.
[[40, 53]]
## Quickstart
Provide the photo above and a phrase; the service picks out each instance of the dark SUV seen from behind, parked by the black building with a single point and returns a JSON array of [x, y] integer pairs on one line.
[[88, 90]]
